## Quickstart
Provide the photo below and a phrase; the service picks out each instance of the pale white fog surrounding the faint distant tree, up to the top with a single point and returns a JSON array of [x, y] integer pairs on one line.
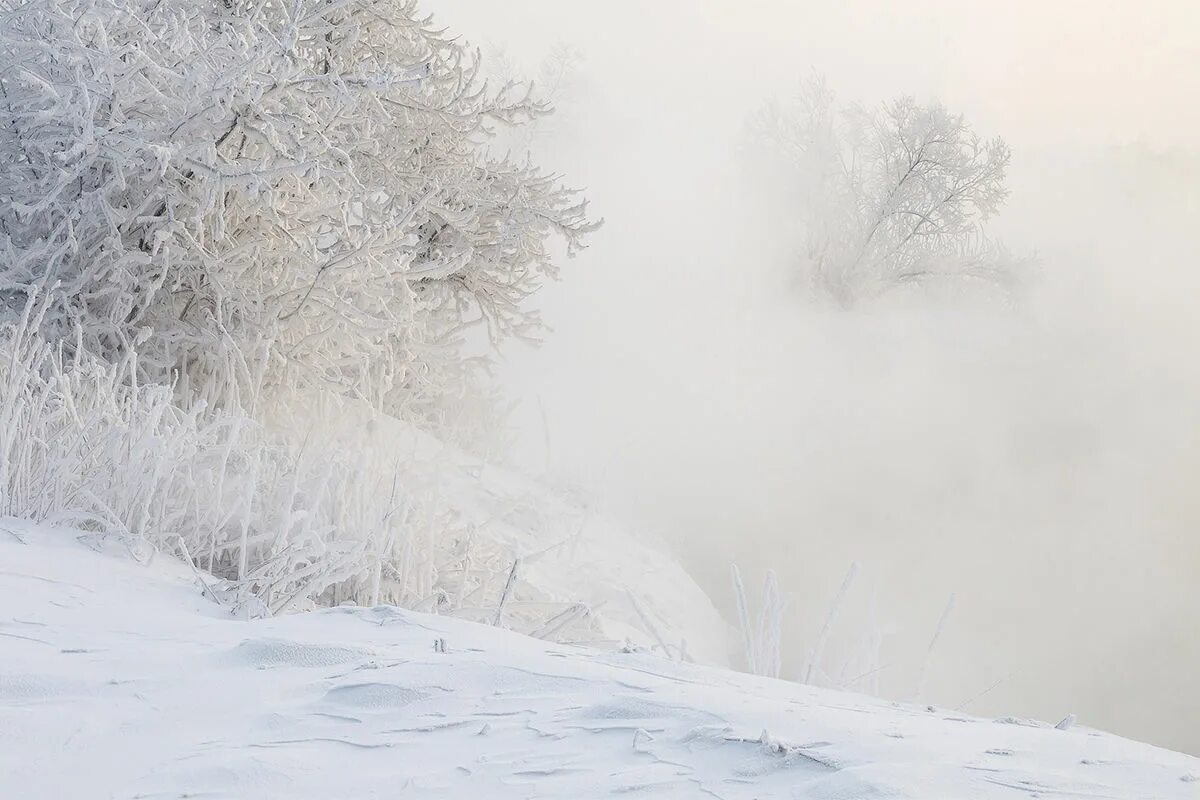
[[1037, 460]]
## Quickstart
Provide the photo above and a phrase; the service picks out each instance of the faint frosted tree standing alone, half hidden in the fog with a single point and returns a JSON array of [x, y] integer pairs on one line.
[[887, 196]]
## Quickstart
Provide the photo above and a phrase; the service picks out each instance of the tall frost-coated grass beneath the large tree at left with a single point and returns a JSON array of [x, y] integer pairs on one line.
[[279, 516]]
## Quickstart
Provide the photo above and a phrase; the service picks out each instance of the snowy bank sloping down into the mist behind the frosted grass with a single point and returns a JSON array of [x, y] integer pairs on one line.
[[572, 558]]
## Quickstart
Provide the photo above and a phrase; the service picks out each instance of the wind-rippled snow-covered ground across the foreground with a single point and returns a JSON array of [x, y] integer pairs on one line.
[[121, 681]]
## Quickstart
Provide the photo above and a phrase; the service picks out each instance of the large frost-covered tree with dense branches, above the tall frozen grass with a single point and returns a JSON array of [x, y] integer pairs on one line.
[[266, 197]]
